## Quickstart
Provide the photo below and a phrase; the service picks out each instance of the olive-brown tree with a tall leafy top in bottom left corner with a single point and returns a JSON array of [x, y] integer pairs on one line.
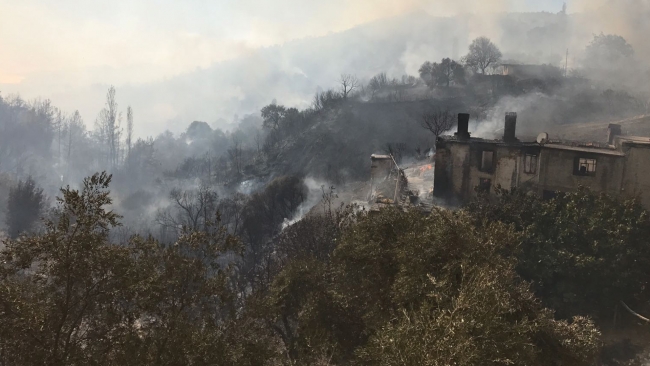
[[59, 289]]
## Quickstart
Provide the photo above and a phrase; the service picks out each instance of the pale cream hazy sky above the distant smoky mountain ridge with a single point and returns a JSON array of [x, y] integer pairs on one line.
[[80, 41]]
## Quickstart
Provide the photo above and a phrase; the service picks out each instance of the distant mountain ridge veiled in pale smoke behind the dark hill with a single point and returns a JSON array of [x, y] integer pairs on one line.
[[291, 73]]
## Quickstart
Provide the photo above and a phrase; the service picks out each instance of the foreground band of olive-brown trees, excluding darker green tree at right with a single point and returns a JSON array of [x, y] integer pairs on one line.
[[346, 287]]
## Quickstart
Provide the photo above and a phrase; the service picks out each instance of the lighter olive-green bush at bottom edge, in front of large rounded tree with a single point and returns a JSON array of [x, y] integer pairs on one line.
[[477, 326]]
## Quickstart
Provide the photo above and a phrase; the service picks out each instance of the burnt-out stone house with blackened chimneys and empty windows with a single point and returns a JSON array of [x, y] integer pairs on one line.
[[465, 166]]
